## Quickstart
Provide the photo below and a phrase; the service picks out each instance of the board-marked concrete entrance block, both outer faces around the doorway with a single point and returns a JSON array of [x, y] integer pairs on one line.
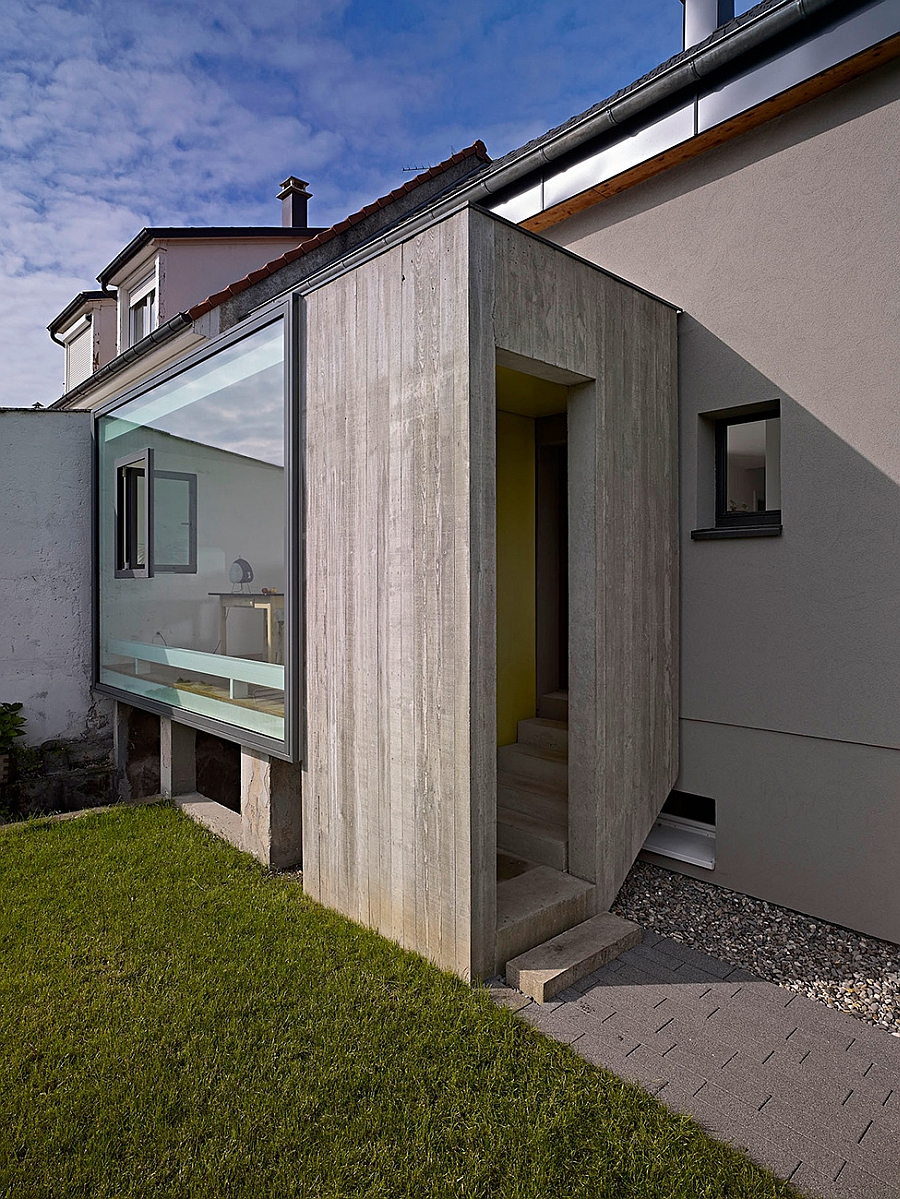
[[400, 781]]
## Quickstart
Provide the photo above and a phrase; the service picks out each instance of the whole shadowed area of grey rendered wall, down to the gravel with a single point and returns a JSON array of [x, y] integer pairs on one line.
[[790, 658]]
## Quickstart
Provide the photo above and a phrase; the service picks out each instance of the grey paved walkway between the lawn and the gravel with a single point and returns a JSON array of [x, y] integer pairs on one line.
[[810, 1093]]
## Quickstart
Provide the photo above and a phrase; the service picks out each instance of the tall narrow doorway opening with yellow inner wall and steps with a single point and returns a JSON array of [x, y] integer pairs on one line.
[[533, 623]]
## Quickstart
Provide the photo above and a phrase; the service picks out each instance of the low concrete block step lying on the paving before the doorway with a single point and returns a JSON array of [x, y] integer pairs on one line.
[[560, 962]]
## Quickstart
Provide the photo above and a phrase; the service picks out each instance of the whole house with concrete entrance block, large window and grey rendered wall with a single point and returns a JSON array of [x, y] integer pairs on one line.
[[630, 486]]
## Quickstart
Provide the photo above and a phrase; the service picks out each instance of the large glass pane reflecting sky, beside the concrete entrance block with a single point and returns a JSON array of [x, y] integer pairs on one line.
[[192, 540]]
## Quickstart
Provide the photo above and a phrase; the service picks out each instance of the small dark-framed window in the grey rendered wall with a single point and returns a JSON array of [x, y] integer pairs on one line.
[[748, 471]]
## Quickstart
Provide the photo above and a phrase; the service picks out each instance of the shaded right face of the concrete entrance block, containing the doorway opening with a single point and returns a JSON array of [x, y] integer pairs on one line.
[[617, 346]]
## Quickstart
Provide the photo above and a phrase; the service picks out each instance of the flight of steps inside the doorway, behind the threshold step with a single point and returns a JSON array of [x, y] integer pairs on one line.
[[533, 787]]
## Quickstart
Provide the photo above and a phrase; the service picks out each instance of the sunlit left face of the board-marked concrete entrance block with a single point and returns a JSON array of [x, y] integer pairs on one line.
[[389, 835]]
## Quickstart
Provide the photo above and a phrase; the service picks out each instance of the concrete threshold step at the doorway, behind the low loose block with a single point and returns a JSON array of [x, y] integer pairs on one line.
[[537, 906]]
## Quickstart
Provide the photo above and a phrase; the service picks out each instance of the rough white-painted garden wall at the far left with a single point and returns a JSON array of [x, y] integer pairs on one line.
[[46, 573]]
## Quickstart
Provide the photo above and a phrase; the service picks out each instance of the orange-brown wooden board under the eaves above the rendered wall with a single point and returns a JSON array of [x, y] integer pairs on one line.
[[786, 103]]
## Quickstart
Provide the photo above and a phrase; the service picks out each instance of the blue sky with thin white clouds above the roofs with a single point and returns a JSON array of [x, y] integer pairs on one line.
[[119, 115]]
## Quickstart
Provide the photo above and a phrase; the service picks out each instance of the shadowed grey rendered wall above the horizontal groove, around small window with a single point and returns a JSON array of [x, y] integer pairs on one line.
[[795, 634]]
